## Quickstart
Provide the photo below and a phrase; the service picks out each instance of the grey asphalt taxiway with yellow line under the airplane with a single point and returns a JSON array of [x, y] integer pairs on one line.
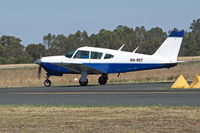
[[114, 95]]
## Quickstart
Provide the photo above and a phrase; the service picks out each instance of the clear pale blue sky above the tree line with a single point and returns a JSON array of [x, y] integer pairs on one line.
[[30, 20]]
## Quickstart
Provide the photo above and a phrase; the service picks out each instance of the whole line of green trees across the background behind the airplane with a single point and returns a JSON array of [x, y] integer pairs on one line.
[[12, 51]]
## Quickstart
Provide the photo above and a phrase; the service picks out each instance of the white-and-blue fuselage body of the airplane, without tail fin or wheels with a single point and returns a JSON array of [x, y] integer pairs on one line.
[[120, 62]]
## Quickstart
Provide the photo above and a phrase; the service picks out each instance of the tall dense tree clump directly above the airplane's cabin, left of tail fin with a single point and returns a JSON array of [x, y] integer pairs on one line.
[[148, 41]]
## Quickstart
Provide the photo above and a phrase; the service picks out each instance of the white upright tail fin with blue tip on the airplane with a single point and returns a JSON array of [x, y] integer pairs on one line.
[[171, 46]]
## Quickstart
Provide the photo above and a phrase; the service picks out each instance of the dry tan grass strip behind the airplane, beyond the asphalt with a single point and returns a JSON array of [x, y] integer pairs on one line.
[[26, 75]]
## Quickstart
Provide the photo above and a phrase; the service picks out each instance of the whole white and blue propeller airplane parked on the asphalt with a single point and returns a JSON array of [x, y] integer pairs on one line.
[[91, 60]]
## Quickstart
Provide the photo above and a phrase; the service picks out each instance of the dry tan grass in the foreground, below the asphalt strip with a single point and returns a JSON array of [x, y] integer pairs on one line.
[[99, 119]]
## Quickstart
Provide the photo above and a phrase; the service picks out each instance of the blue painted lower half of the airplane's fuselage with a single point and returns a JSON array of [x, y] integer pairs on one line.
[[107, 68]]
